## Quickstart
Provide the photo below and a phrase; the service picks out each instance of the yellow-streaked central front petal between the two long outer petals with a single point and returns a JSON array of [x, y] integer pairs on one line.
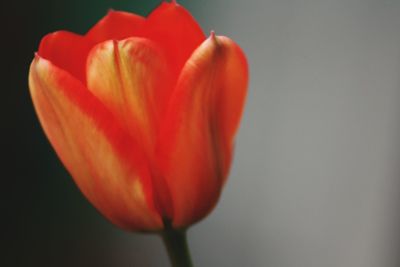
[[129, 77]]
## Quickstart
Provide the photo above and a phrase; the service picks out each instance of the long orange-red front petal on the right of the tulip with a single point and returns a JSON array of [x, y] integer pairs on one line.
[[197, 138]]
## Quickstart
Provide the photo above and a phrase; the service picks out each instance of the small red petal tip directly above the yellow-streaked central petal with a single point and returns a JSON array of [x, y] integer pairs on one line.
[[116, 25]]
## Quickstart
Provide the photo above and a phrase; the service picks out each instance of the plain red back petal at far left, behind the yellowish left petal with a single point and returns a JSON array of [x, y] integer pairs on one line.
[[67, 51]]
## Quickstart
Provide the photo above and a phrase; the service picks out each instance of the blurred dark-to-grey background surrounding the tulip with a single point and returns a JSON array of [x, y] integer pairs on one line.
[[315, 182]]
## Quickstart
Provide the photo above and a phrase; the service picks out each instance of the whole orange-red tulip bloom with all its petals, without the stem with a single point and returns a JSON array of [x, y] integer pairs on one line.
[[143, 114]]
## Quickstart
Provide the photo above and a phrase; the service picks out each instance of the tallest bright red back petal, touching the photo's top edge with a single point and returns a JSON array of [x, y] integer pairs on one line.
[[173, 27]]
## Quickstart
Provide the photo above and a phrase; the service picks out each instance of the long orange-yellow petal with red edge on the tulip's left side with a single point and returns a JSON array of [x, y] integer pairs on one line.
[[101, 157]]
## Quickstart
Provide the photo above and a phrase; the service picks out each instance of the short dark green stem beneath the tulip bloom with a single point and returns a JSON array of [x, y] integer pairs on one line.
[[176, 243]]
